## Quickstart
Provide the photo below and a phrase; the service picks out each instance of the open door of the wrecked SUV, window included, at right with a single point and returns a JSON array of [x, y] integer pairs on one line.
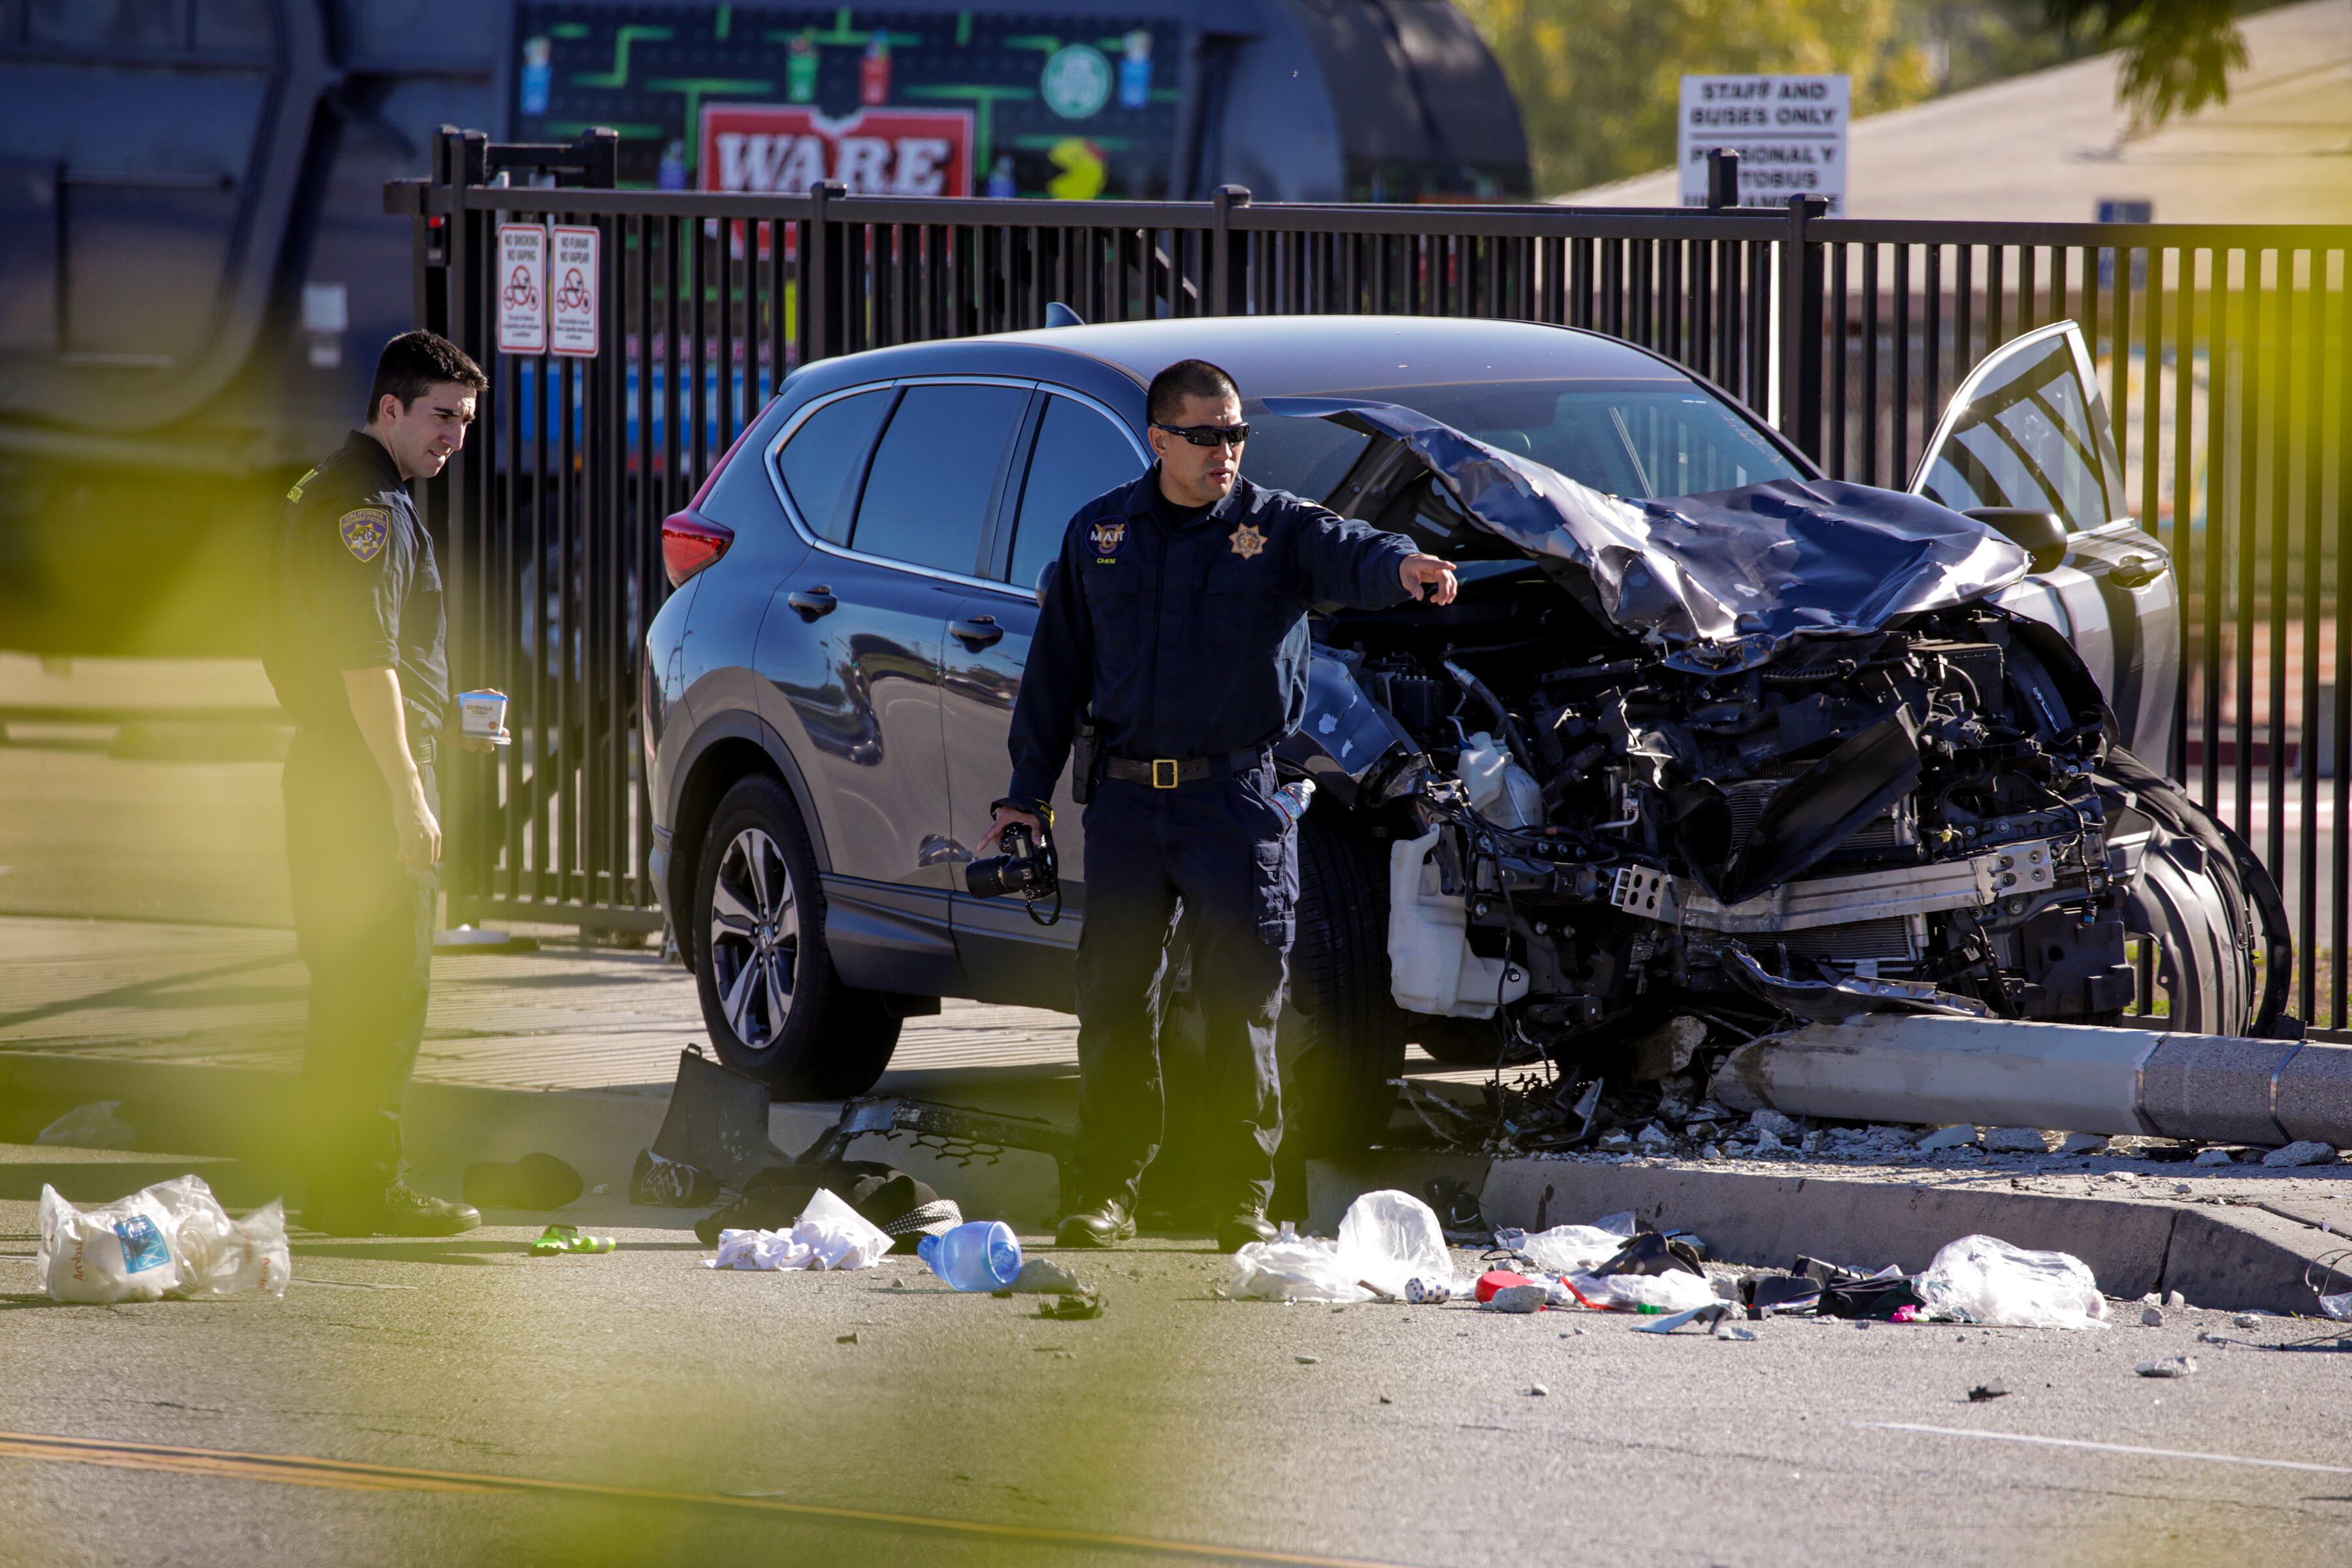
[[2029, 431]]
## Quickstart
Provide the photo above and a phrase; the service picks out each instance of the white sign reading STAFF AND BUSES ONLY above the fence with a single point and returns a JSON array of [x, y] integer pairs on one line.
[[1789, 130]]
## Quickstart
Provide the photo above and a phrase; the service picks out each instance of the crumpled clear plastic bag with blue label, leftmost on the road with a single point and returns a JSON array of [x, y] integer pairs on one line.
[[166, 1240]]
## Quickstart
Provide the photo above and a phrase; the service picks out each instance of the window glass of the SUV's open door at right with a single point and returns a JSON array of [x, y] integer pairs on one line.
[[2026, 438]]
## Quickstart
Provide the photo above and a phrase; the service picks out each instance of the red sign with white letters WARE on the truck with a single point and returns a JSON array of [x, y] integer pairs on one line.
[[876, 152]]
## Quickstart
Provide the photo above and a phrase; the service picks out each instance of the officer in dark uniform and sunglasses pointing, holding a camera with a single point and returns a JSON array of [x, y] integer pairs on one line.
[[1177, 615]]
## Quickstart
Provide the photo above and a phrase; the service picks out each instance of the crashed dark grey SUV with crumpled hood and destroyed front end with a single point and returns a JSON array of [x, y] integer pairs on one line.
[[1706, 735]]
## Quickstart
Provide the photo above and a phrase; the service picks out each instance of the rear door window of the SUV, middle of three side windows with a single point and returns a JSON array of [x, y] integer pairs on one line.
[[935, 476]]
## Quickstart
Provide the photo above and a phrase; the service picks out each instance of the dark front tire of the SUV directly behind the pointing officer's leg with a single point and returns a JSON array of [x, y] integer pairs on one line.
[[1349, 1033]]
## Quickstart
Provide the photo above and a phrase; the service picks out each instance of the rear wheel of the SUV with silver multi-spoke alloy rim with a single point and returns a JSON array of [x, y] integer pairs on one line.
[[773, 1000]]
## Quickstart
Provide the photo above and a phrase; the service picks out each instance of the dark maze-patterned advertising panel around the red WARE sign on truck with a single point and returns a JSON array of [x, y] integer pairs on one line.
[[1069, 102]]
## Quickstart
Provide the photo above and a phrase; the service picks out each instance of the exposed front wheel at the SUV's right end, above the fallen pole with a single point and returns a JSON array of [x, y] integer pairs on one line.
[[2207, 906]]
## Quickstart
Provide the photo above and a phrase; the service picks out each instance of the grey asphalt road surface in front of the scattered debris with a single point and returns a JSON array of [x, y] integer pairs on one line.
[[460, 1402]]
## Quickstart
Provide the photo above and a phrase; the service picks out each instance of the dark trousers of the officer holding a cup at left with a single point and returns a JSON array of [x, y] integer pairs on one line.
[[366, 930]]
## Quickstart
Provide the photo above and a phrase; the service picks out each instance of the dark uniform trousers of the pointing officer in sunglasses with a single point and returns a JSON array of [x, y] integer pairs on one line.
[[1231, 857]]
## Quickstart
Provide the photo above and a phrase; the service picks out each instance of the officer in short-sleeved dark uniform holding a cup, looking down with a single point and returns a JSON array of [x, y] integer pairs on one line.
[[354, 645]]
